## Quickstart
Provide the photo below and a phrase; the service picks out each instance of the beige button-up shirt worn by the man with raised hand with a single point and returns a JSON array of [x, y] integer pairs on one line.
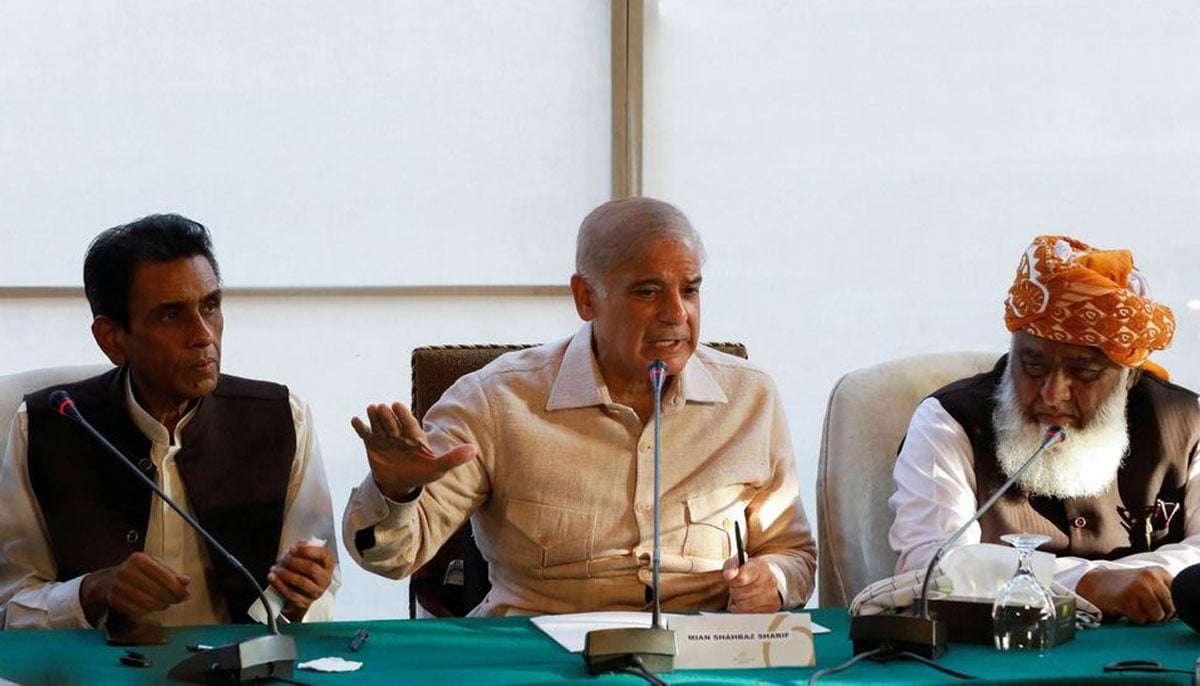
[[562, 494]]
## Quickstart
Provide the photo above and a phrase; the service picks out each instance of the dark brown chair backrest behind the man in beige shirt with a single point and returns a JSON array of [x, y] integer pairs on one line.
[[455, 581]]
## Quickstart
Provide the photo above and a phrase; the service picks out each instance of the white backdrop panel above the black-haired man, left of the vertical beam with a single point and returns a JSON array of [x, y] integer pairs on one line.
[[339, 143]]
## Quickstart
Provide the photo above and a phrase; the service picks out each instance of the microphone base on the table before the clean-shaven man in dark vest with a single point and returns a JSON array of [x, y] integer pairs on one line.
[[241, 663]]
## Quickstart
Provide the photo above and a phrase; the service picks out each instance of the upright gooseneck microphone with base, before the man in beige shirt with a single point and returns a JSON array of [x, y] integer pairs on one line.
[[650, 651]]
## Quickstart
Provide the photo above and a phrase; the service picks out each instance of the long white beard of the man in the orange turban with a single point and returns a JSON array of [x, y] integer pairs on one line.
[[1084, 465]]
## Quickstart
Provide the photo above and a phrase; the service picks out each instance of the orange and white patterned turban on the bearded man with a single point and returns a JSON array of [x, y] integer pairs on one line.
[[1070, 292]]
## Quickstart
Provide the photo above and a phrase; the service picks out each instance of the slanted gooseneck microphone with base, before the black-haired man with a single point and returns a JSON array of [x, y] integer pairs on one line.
[[243, 663]]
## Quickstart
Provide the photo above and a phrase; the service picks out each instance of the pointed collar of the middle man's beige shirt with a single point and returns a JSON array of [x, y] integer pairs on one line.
[[579, 383]]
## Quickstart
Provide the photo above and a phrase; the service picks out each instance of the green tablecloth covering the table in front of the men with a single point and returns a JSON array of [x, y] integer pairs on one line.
[[511, 651]]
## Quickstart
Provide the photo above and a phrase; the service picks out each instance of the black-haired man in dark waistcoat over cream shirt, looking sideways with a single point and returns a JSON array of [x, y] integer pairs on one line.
[[83, 541]]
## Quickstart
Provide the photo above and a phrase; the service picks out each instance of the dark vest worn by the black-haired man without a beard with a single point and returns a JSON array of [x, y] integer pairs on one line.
[[236, 462]]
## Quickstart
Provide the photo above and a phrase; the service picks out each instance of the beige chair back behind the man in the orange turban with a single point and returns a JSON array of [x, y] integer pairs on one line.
[[867, 419]]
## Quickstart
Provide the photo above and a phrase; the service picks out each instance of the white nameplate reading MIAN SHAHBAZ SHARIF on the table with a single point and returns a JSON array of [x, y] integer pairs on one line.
[[743, 641]]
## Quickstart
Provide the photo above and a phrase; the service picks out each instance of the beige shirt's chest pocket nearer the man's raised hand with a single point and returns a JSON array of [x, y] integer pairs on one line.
[[556, 537]]
